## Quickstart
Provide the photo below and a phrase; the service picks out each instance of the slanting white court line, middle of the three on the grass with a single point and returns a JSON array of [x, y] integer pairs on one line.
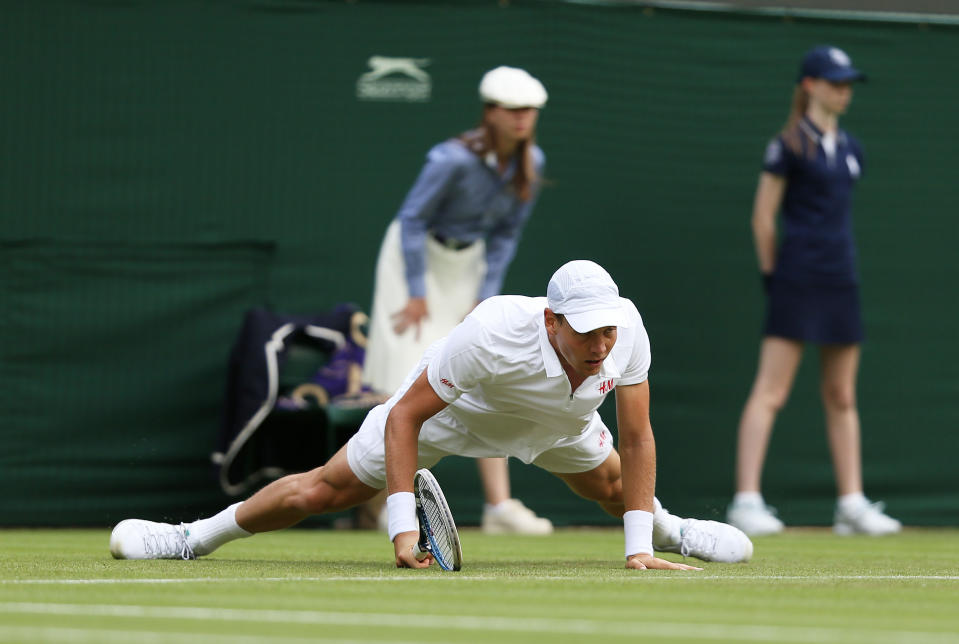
[[591, 628]]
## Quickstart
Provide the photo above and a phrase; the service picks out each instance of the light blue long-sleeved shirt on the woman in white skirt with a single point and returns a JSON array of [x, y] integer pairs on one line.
[[458, 196]]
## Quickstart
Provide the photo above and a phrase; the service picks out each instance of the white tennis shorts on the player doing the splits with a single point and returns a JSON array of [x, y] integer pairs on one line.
[[366, 452]]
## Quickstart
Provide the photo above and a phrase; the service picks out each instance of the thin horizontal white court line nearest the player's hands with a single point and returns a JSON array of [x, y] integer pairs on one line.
[[638, 577]]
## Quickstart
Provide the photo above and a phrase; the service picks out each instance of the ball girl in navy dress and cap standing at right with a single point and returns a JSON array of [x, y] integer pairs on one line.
[[812, 292]]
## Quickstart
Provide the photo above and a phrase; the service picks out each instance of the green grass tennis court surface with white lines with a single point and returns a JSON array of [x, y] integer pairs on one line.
[[330, 586]]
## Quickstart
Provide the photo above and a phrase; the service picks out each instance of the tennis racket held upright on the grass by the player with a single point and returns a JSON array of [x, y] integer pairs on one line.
[[438, 535]]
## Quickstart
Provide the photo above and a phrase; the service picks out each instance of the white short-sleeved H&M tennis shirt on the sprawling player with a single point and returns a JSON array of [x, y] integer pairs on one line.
[[506, 387]]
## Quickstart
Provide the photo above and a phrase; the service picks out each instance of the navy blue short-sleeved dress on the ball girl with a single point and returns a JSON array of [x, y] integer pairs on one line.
[[813, 295]]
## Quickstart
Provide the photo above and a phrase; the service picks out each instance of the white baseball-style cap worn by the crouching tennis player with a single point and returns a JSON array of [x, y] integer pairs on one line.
[[586, 295]]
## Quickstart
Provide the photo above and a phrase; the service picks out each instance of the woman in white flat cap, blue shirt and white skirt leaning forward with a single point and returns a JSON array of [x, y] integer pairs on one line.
[[449, 247]]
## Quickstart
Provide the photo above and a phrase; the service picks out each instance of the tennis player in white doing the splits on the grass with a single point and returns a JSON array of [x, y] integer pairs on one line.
[[521, 377]]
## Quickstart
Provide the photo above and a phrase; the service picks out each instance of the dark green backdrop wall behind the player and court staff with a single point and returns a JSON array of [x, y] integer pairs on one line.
[[165, 166]]
